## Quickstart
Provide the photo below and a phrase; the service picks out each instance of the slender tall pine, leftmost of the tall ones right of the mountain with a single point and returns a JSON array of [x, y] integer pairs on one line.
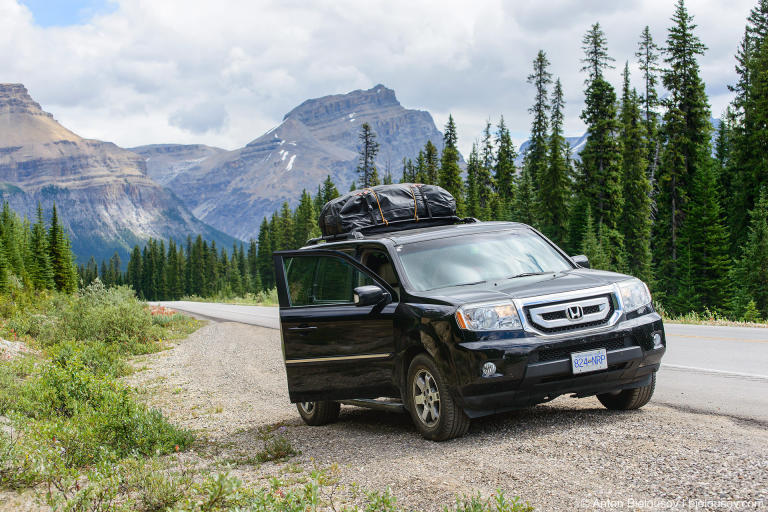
[[536, 154]]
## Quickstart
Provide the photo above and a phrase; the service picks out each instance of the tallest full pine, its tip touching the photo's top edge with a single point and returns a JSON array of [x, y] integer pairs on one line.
[[686, 136]]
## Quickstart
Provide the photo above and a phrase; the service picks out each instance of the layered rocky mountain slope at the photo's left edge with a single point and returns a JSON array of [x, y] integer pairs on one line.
[[106, 199]]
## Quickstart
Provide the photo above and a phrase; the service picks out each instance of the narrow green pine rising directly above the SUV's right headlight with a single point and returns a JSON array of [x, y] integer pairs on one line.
[[636, 219]]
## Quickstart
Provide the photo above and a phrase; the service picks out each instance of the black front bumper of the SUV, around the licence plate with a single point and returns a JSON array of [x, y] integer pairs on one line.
[[533, 370]]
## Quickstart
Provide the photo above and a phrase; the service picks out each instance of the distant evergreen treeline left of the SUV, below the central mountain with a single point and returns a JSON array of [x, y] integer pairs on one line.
[[170, 271]]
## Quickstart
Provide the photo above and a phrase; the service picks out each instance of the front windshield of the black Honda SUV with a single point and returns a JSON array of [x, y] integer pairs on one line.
[[477, 258]]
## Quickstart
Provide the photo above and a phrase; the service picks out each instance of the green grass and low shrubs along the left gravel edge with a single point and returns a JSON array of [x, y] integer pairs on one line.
[[83, 441]]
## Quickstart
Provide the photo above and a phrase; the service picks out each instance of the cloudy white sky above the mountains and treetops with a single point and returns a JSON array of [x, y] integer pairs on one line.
[[223, 72]]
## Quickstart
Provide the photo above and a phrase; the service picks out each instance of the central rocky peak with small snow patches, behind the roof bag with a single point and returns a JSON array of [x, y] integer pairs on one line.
[[233, 190]]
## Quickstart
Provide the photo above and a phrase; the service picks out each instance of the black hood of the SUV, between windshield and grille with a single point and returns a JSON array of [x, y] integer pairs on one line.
[[529, 286]]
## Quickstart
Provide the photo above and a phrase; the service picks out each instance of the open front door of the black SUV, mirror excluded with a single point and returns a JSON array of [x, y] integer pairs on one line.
[[333, 349]]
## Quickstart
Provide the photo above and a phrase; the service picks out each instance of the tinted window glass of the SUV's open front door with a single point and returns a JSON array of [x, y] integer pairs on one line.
[[321, 280]]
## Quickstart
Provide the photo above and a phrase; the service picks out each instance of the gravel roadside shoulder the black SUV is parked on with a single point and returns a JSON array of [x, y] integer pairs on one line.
[[227, 379]]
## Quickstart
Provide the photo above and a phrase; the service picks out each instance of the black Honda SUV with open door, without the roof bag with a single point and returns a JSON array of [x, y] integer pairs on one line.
[[458, 321]]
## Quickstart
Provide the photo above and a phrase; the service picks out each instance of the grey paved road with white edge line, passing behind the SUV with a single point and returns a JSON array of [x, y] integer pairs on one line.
[[721, 370]]
